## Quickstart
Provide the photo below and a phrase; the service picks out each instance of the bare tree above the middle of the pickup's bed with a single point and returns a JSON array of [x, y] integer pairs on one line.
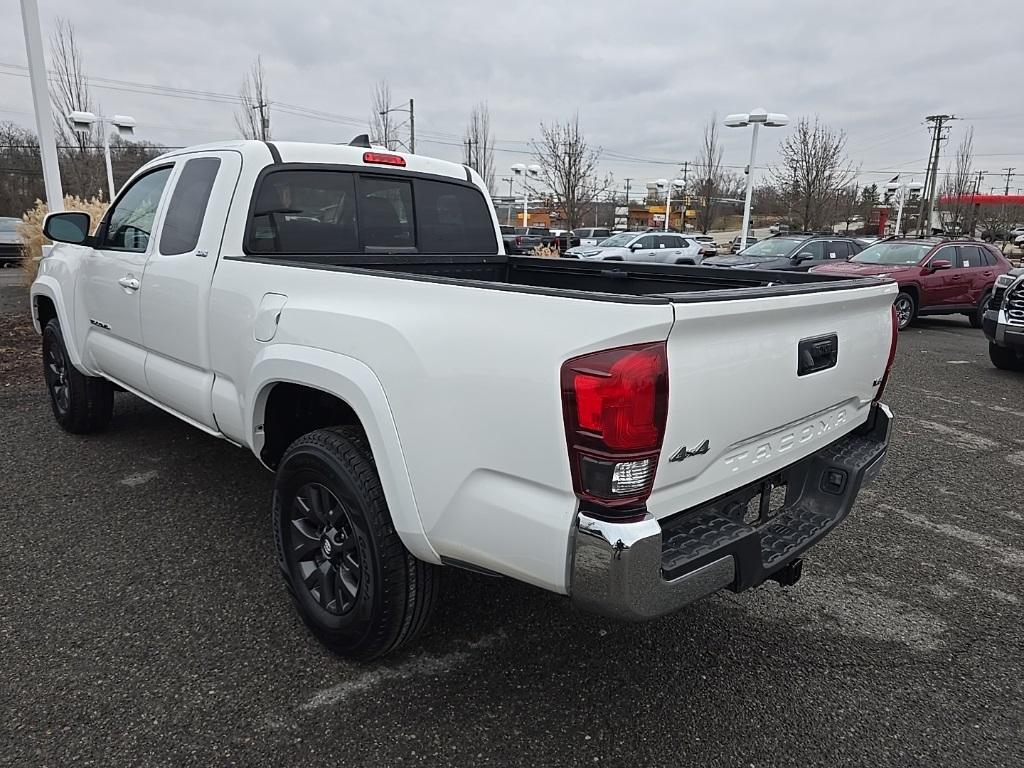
[[569, 169]]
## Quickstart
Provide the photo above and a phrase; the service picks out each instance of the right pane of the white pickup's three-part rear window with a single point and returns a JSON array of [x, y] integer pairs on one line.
[[453, 219]]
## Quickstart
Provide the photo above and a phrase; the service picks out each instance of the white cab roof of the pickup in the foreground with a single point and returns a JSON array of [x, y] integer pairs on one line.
[[303, 152]]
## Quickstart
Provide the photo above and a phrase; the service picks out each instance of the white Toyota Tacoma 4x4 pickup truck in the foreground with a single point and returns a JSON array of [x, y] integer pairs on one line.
[[635, 437]]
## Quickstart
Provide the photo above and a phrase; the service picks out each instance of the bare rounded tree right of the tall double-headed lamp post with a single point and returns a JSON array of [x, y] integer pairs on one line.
[[814, 170]]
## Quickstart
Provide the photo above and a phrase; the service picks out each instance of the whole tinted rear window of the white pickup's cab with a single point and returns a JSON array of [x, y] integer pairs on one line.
[[342, 212]]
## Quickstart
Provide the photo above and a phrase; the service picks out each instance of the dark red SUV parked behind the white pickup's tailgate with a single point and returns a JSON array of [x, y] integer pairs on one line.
[[935, 276]]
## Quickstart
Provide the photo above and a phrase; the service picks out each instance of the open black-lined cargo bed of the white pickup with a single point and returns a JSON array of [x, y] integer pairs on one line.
[[609, 280]]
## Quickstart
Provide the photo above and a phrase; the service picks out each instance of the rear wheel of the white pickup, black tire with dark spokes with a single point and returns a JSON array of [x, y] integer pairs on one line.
[[354, 583]]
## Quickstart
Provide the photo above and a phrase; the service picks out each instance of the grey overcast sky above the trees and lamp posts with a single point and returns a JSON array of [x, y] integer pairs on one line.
[[645, 77]]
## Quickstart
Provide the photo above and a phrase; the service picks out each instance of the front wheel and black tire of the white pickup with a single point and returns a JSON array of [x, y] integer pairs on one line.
[[81, 404]]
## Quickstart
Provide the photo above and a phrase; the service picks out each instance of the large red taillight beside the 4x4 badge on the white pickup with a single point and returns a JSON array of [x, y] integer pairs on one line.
[[615, 406]]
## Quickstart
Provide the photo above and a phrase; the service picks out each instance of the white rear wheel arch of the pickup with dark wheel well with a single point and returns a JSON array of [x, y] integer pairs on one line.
[[321, 387]]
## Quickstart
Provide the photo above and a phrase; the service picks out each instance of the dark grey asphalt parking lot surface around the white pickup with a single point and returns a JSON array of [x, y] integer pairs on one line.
[[143, 621]]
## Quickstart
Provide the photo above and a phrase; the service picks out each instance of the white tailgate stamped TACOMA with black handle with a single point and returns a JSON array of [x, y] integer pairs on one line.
[[741, 408]]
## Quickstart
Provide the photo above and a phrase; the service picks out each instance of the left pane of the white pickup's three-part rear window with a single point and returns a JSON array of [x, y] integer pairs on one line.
[[300, 212]]
